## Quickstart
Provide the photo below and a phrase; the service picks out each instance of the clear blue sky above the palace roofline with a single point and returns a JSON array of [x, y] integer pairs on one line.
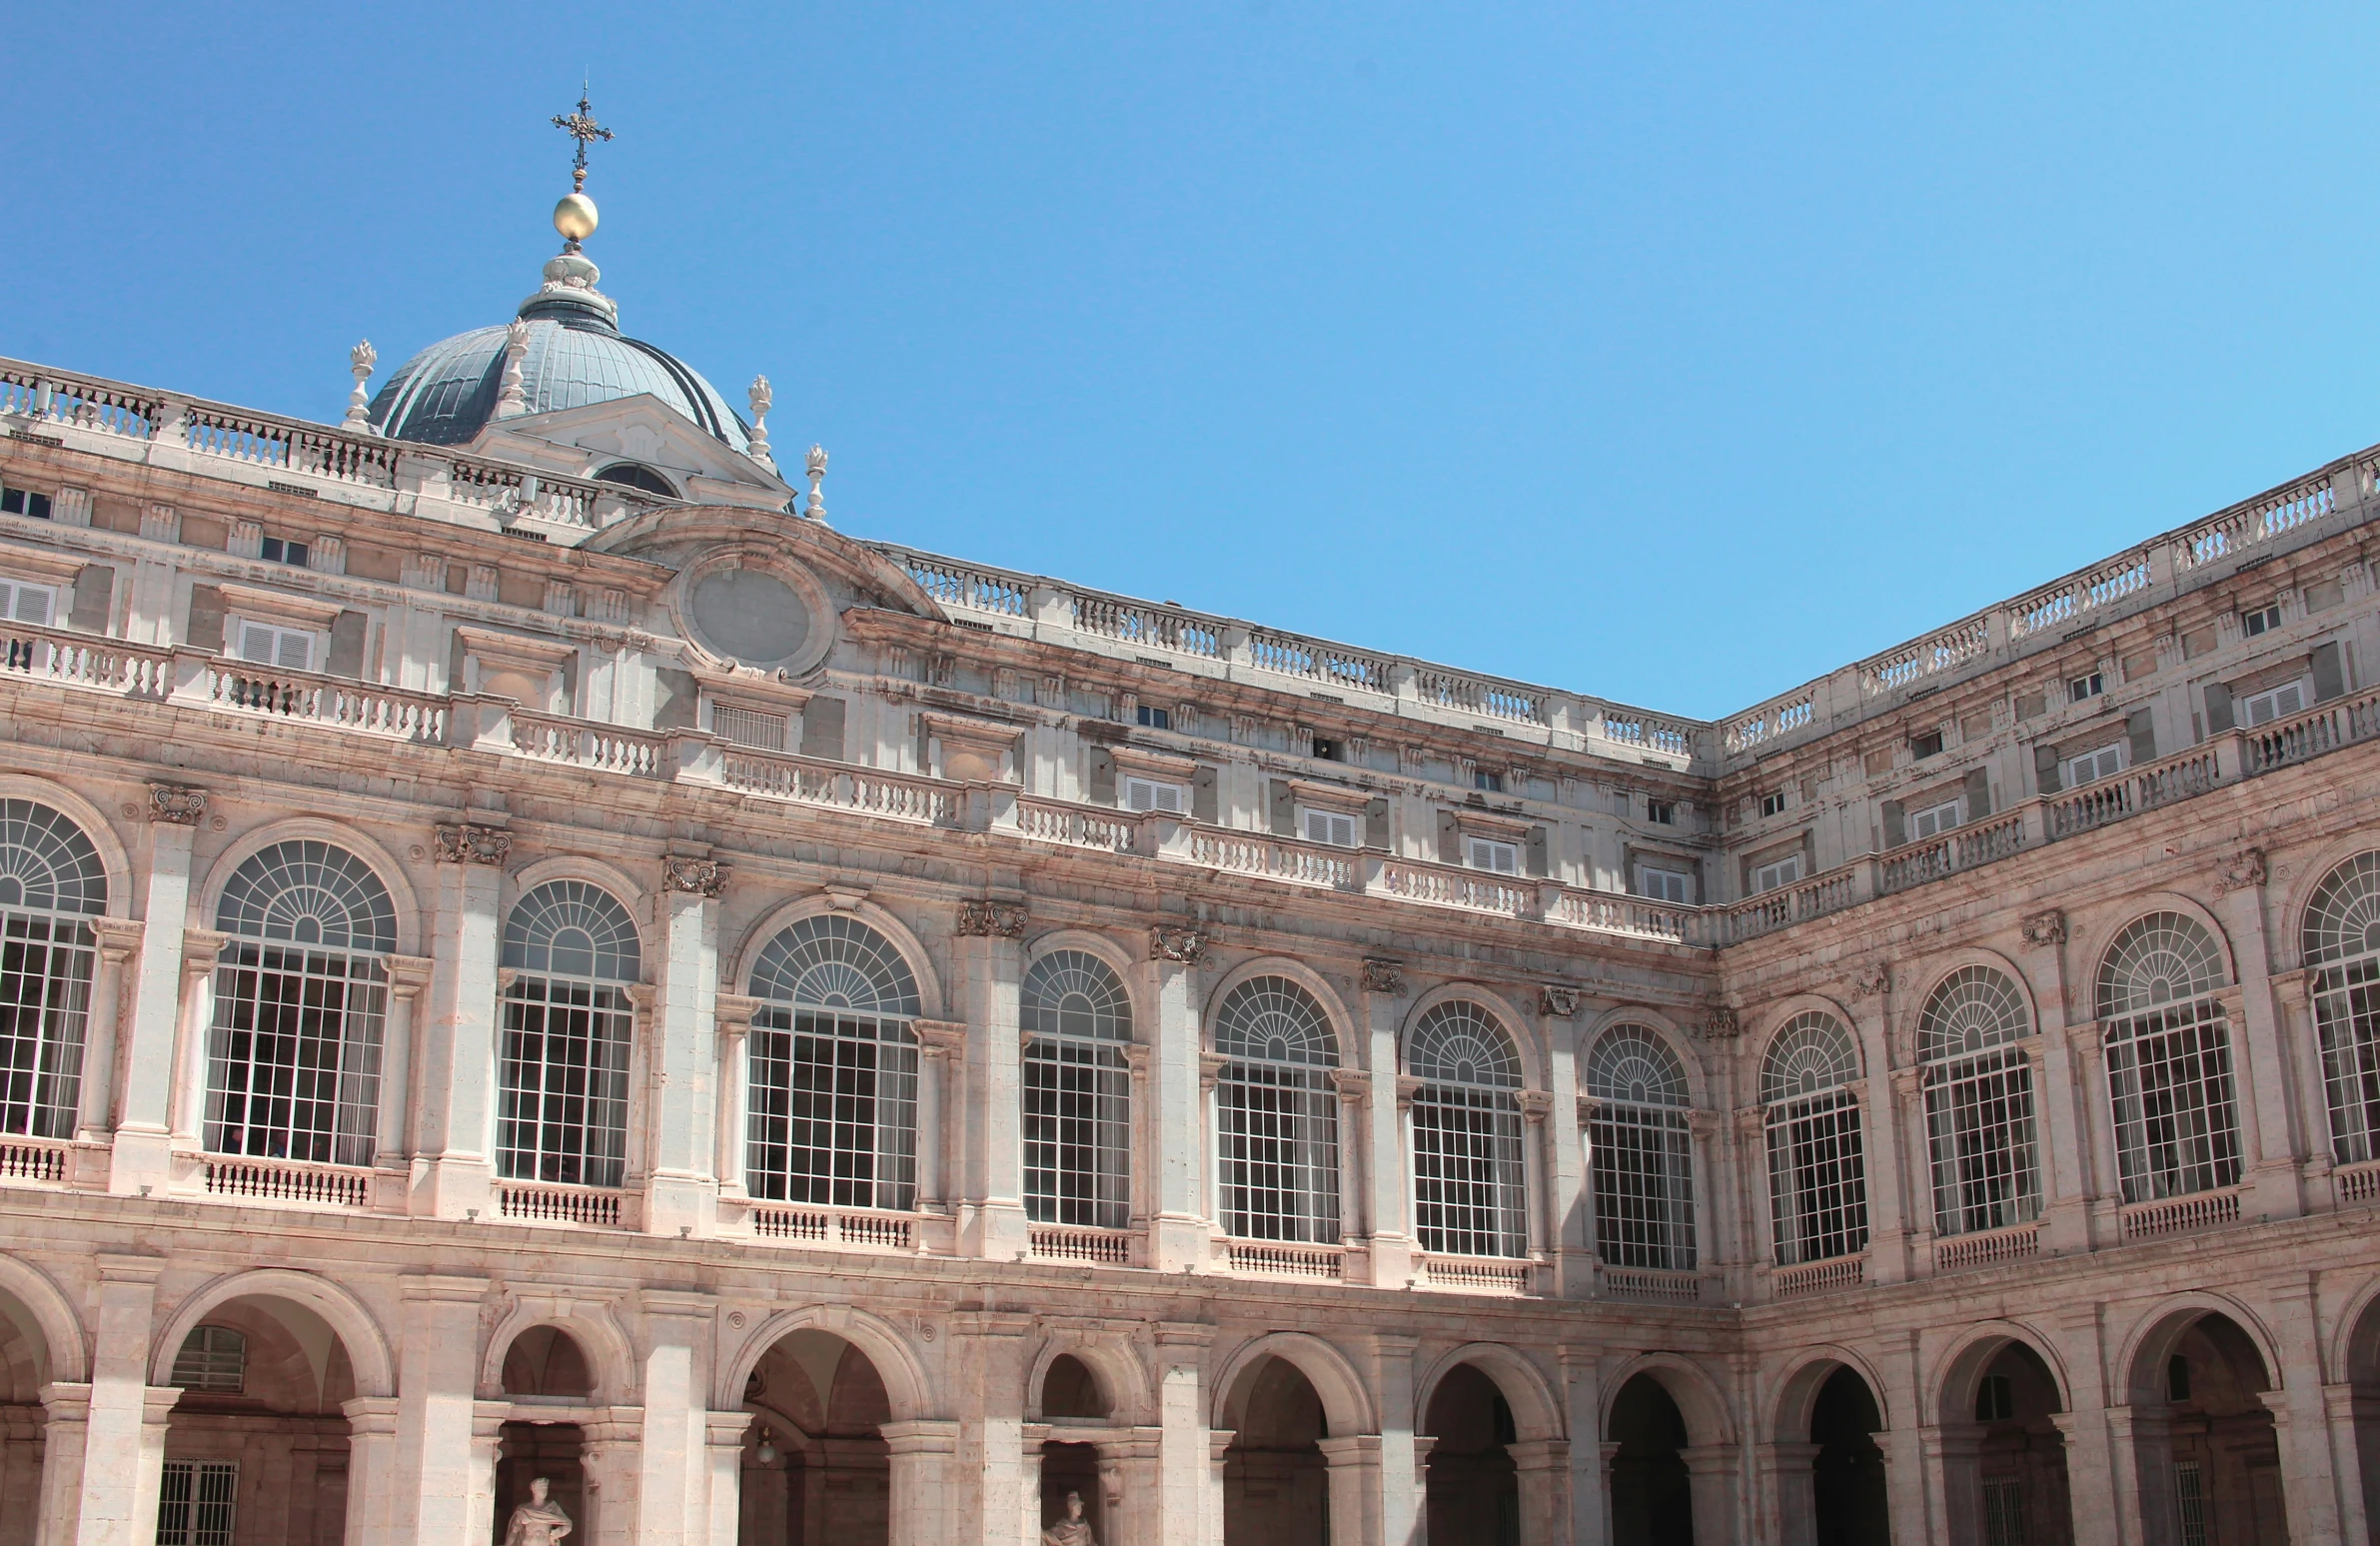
[[1674, 354]]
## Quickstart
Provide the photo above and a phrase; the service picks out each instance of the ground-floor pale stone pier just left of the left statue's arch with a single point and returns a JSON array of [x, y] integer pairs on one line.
[[441, 1488]]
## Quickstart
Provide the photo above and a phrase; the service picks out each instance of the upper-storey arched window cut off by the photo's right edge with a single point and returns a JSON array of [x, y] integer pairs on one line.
[[2343, 947]]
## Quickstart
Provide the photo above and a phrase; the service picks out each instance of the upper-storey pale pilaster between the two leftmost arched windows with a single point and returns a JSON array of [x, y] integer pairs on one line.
[[146, 1133]]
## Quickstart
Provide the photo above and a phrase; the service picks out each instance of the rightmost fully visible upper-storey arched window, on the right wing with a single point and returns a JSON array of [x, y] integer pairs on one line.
[[2169, 1059]]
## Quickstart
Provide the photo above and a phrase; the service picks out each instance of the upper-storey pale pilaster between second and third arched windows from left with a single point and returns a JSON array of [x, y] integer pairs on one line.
[[453, 1166]]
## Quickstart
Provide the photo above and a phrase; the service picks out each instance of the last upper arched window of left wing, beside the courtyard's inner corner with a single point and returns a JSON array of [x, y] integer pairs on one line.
[[1641, 1152]]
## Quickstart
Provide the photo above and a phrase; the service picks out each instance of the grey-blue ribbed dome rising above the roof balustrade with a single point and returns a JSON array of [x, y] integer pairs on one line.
[[577, 356]]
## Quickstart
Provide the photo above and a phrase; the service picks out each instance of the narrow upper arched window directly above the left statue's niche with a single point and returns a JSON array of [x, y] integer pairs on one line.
[[563, 1109]]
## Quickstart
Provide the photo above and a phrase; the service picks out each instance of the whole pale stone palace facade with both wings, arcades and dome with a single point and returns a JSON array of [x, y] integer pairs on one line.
[[530, 954]]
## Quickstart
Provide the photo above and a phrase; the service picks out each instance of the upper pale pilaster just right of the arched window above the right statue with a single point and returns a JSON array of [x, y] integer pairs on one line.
[[1179, 1238]]
